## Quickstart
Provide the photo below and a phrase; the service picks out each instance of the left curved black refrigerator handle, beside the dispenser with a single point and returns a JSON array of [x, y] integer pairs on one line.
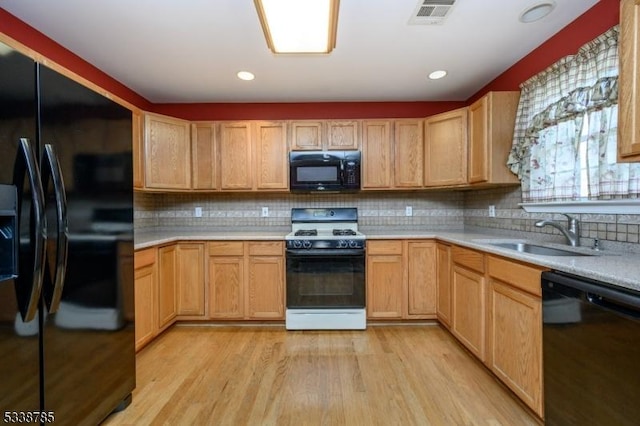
[[28, 284]]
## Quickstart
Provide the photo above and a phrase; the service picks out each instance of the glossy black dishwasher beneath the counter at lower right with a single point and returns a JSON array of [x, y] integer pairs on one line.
[[591, 350]]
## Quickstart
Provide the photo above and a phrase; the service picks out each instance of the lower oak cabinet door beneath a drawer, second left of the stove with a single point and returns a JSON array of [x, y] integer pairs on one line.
[[226, 282]]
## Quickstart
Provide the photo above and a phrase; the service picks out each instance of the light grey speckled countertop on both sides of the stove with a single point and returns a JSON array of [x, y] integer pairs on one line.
[[615, 267]]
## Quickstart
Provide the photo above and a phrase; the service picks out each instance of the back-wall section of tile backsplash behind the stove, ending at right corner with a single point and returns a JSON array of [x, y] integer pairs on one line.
[[441, 210]]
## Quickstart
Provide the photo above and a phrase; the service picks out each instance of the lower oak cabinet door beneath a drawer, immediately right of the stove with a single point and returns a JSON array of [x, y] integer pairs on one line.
[[385, 278]]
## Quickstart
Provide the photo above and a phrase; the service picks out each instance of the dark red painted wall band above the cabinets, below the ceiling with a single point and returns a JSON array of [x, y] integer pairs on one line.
[[592, 23]]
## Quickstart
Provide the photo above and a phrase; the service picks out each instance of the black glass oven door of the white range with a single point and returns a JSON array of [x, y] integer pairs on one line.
[[325, 279]]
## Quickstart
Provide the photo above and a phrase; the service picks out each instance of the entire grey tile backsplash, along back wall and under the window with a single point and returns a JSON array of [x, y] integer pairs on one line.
[[431, 210]]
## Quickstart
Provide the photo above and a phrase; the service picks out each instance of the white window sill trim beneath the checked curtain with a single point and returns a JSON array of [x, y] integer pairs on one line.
[[600, 207]]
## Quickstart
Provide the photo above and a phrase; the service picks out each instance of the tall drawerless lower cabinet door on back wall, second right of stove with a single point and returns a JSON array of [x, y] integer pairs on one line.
[[421, 279]]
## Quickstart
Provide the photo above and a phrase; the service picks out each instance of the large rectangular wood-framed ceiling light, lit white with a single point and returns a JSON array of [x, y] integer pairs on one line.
[[295, 26]]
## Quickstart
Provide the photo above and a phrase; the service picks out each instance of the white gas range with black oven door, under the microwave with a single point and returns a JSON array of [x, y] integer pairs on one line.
[[325, 270]]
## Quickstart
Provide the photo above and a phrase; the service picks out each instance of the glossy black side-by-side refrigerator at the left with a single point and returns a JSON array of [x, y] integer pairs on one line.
[[66, 248]]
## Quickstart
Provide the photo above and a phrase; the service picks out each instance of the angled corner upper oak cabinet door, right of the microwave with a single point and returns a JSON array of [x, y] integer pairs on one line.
[[445, 155]]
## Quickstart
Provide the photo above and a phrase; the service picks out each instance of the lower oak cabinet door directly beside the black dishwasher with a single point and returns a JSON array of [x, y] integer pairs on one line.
[[515, 341]]
